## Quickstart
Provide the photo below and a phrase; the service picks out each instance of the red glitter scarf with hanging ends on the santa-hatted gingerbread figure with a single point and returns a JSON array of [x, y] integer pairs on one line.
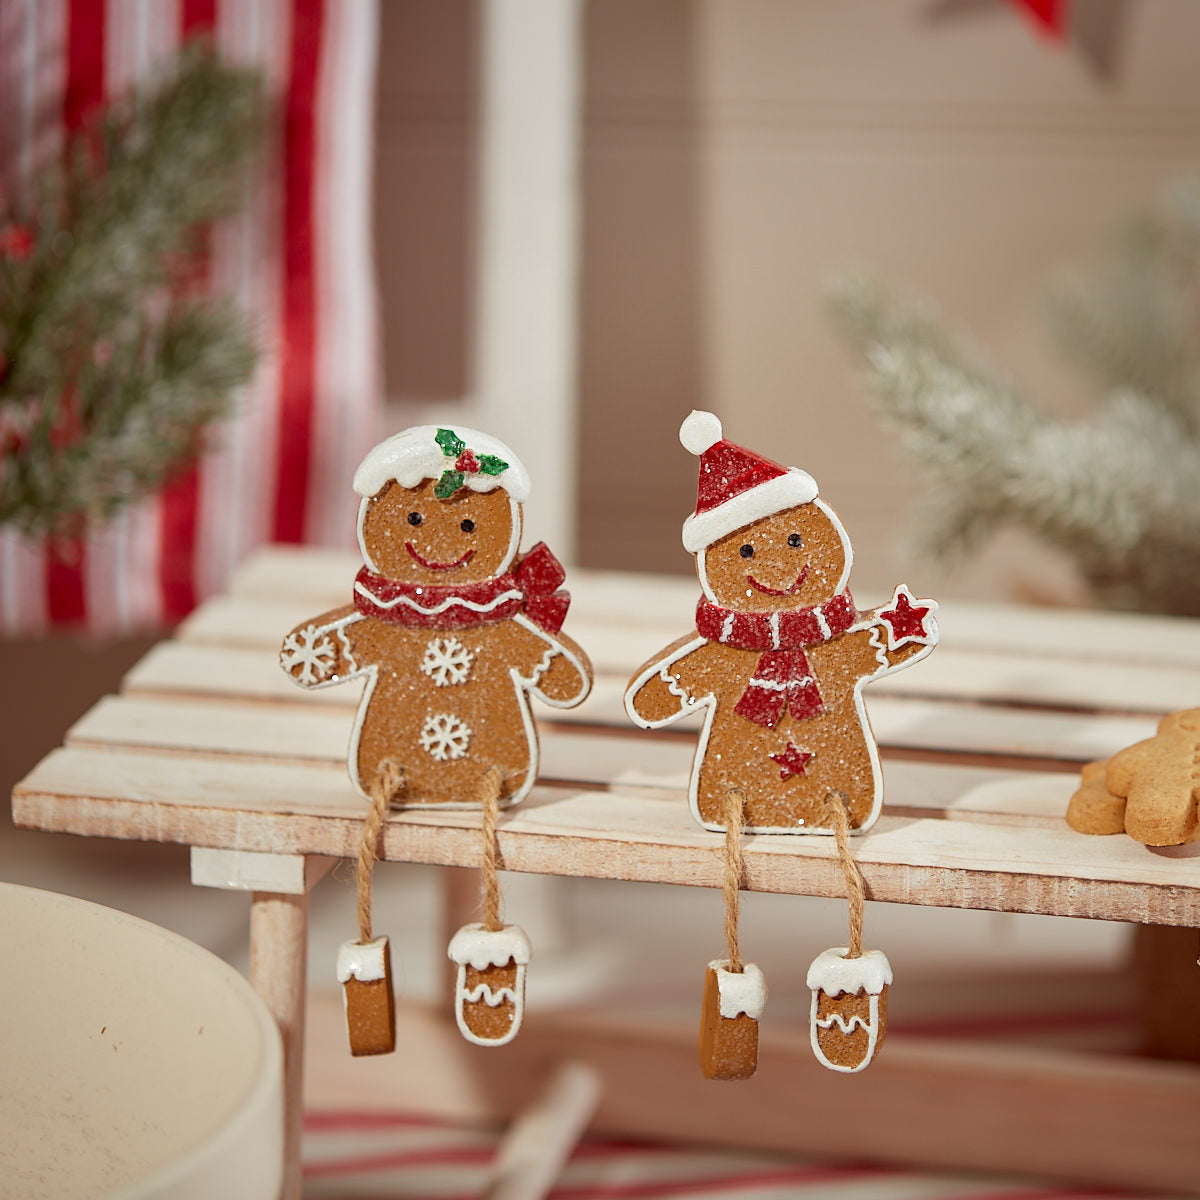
[[782, 679]]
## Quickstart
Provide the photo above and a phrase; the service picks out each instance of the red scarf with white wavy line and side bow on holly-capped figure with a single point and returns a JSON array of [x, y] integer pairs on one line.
[[532, 589]]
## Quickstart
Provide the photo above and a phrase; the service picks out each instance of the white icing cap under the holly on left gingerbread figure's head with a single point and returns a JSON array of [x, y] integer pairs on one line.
[[416, 454]]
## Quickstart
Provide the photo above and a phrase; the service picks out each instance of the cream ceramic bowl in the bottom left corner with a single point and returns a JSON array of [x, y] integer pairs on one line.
[[134, 1065]]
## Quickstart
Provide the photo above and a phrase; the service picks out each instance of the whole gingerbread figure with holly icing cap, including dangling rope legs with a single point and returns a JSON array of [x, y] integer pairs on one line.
[[454, 633]]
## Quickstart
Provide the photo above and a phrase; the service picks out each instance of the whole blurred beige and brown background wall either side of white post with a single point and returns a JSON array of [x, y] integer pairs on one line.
[[736, 155]]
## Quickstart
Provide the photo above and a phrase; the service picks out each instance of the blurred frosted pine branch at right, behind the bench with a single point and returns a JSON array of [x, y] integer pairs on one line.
[[1117, 491]]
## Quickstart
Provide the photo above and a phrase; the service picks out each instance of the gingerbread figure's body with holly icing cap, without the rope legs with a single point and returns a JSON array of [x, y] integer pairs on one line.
[[453, 631]]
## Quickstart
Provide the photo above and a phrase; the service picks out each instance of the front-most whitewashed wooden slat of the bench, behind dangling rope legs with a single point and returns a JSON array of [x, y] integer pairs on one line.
[[622, 833]]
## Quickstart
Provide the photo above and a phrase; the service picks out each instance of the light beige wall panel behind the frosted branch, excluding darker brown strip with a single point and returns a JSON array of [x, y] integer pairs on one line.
[[968, 159]]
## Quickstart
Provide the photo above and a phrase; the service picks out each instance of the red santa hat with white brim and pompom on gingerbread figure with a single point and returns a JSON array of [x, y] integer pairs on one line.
[[737, 487]]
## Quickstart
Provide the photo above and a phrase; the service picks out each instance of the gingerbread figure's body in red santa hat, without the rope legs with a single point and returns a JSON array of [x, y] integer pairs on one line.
[[779, 656]]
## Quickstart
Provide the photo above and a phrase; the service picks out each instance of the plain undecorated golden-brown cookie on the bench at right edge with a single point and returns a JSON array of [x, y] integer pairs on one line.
[[1149, 790]]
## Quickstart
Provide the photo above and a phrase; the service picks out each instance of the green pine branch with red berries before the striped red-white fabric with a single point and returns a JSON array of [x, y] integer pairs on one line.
[[109, 374]]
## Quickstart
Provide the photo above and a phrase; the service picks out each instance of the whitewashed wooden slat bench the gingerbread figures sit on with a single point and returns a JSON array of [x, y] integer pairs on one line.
[[211, 746]]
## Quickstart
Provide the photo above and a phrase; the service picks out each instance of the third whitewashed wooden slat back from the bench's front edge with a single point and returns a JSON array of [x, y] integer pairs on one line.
[[935, 725]]
